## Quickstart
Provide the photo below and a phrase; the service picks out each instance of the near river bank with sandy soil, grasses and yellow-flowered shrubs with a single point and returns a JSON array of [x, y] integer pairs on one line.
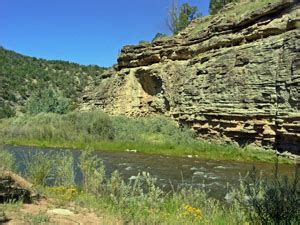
[[142, 199]]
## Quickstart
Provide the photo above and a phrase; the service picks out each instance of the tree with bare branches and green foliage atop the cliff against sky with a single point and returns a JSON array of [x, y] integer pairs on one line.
[[180, 18]]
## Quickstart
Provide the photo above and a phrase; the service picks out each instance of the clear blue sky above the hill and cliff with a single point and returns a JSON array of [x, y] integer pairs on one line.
[[82, 31]]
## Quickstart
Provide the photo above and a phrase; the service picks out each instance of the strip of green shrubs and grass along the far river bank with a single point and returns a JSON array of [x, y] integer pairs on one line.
[[98, 131]]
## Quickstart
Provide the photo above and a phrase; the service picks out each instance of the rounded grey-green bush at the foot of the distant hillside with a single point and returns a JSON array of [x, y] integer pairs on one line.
[[48, 100]]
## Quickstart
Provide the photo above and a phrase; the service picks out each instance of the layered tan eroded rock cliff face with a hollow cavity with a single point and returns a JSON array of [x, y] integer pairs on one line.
[[237, 79]]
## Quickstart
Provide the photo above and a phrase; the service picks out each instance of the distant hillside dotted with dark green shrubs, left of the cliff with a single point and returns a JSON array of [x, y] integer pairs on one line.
[[22, 77]]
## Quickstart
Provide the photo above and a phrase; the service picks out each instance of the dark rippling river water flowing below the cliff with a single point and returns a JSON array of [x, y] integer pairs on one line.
[[215, 176]]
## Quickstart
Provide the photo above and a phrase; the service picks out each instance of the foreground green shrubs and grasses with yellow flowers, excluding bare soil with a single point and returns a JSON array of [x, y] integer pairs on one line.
[[139, 200]]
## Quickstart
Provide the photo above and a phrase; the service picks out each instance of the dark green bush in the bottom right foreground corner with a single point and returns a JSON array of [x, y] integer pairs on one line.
[[271, 202]]
